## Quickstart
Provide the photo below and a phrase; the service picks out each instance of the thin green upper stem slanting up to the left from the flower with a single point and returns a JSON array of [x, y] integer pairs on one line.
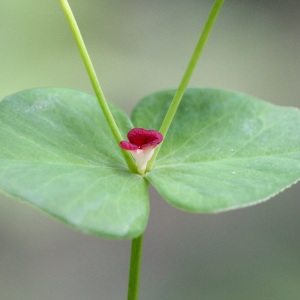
[[95, 83]]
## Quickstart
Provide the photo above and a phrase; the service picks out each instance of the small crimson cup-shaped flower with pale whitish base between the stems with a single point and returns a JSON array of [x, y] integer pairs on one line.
[[141, 144]]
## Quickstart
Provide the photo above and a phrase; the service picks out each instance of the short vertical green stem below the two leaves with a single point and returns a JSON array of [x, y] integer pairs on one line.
[[135, 267]]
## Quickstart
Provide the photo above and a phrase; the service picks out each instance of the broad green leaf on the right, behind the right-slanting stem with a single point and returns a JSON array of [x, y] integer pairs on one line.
[[224, 150]]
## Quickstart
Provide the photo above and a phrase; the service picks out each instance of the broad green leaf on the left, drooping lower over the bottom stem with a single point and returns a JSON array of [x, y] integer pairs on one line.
[[58, 154]]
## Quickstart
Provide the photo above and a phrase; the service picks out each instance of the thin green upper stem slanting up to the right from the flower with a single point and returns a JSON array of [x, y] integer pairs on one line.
[[187, 75]]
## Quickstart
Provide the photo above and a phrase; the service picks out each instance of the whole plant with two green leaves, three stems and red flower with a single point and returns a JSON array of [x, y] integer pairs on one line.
[[204, 150]]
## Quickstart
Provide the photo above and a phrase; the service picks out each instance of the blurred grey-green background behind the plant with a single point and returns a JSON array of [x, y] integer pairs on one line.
[[139, 47]]
